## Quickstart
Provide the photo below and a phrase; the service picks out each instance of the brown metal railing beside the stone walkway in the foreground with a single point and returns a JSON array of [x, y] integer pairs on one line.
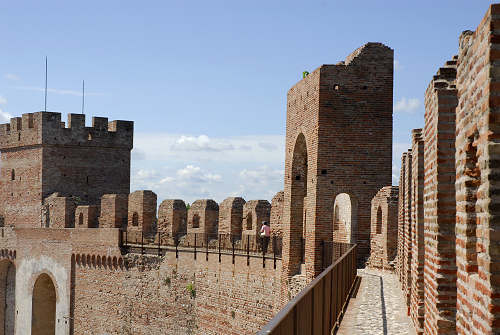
[[318, 308]]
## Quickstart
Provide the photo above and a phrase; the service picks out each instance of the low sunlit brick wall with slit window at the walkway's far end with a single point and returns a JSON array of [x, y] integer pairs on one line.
[[384, 228]]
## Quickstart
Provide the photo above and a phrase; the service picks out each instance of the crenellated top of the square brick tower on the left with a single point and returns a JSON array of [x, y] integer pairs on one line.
[[46, 128]]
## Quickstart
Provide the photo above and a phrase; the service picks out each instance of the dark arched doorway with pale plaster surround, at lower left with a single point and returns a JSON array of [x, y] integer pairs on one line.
[[43, 319]]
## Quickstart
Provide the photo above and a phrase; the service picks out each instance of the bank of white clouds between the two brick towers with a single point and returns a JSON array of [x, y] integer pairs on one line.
[[191, 167]]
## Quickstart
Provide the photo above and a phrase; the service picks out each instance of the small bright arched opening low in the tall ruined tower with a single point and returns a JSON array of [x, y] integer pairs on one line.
[[345, 218]]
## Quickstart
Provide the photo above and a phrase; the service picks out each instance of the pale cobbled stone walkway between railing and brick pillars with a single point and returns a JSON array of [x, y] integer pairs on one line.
[[378, 307]]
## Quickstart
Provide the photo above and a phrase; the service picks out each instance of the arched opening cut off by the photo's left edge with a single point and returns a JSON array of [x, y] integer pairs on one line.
[[8, 296]]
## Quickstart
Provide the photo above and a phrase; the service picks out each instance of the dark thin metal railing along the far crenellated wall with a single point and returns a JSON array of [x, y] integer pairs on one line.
[[249, 246]]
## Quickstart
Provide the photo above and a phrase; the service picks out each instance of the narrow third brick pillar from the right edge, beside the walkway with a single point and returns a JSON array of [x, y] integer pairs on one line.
[[417, 231]]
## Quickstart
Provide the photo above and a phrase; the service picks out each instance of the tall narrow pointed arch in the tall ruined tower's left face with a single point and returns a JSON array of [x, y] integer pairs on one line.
[[298, 205]]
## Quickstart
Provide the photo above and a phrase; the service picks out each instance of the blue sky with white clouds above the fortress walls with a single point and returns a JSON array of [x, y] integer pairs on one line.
[[206, 81]]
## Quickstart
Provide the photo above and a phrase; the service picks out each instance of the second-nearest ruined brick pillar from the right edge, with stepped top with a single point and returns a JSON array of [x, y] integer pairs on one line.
[[439, 205]]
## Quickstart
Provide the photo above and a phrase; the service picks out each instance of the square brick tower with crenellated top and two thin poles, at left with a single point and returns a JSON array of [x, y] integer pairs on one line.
[[41, 156]]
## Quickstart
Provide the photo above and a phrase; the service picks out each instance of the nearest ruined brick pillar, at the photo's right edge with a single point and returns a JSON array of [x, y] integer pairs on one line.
[[477, 182]]
